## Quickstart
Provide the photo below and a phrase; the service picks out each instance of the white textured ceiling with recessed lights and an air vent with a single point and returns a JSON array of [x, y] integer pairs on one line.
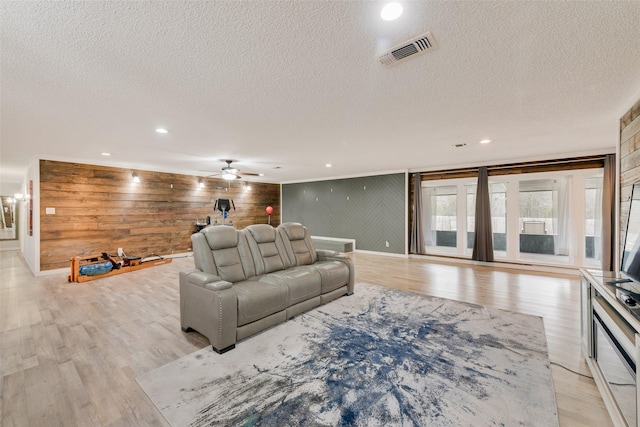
[[295, 84]]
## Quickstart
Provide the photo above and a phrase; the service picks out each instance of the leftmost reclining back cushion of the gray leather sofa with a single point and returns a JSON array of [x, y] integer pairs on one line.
[[223, 251]]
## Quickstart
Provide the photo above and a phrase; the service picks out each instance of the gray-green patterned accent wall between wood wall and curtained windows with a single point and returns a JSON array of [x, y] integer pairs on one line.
[[371, 210]]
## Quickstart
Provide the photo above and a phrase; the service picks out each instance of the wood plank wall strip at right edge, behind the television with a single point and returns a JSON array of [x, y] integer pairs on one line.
[[629, 163]]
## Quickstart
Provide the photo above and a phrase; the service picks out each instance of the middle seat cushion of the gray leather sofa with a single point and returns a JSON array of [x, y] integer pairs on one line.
[[302, 282]]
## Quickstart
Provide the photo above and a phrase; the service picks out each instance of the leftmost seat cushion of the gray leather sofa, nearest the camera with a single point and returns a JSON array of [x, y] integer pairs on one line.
[[258, 299]]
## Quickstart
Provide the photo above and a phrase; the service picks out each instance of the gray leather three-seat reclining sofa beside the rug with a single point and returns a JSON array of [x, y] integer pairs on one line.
[[248, 280]]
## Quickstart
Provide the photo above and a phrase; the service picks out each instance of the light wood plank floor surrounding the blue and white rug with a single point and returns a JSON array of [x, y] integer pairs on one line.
[[70, 352]]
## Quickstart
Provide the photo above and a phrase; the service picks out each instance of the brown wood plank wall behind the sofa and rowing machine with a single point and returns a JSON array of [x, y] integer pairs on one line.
[[100, 209]]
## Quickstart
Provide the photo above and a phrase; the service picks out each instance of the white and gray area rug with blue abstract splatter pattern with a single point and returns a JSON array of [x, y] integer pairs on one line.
[[380, 357]]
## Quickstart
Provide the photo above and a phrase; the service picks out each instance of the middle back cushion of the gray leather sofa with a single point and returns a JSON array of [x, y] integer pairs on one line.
[[267, 248]]
